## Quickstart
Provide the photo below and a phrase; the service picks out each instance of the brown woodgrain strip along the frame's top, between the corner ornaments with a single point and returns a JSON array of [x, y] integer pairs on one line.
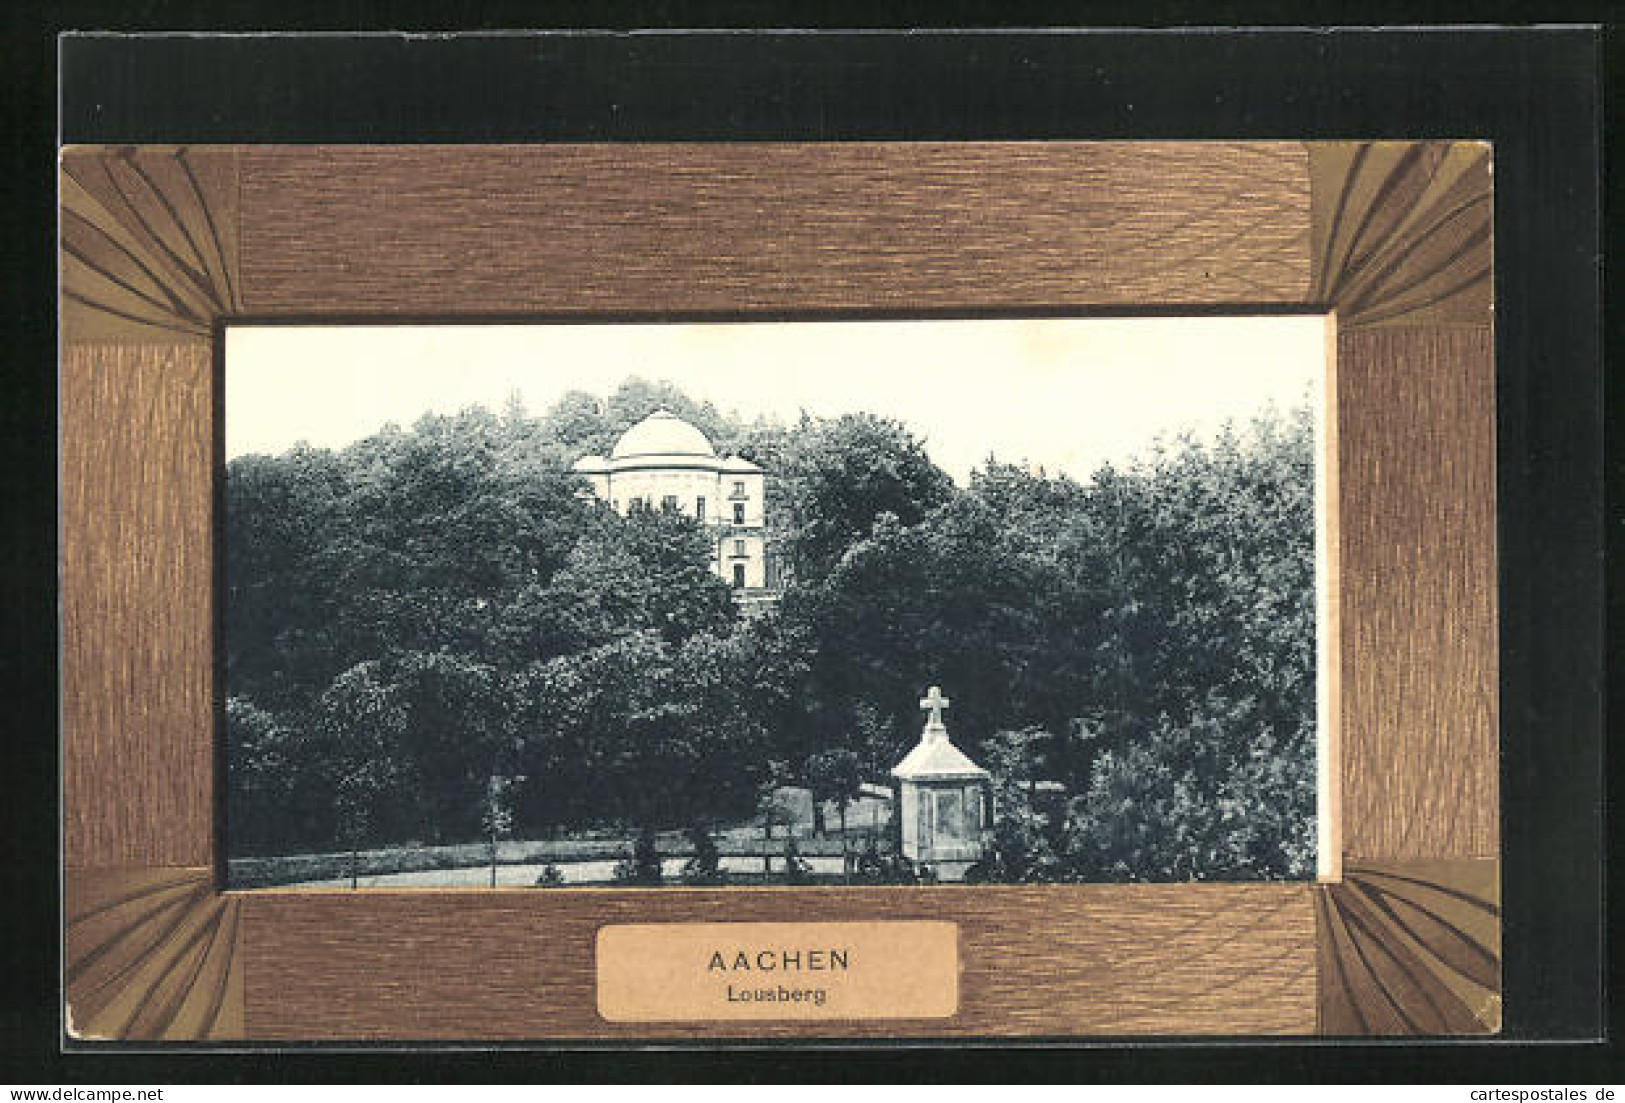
[[773, 227]]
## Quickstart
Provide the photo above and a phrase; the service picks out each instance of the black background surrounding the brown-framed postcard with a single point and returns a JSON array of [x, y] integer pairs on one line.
[[1536, 95]]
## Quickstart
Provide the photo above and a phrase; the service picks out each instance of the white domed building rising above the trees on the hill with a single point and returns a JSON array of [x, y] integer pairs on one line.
[[665, 464]]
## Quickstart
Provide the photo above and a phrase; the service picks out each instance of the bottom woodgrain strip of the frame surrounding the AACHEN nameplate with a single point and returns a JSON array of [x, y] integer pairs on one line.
[[1041, 961]]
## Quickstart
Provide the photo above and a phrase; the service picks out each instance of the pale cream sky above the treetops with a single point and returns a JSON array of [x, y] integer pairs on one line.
[[1065, 394]]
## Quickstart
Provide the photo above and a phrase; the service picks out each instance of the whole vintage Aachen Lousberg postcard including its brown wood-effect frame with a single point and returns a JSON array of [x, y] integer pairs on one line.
[[779, 590]]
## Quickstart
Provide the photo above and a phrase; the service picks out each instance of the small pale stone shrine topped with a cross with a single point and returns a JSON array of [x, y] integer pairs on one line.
[[943, 798]]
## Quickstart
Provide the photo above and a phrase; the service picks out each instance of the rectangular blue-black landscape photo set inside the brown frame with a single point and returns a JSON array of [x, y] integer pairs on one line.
[[765, 603]]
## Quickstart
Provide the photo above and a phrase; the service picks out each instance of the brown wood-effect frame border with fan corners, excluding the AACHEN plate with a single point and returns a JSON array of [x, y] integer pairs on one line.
[[162, 244]]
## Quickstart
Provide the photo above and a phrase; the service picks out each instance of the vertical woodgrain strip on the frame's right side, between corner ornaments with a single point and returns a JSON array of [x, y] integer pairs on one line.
[[1418, 516]]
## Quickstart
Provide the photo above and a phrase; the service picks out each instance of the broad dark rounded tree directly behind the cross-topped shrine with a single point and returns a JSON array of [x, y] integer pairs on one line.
[[958, 599]]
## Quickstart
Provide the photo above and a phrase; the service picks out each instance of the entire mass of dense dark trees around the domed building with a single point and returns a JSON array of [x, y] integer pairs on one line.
[[428, 610]]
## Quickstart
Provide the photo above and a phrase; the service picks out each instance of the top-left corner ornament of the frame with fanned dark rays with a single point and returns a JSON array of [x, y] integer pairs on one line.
[[149, 243]]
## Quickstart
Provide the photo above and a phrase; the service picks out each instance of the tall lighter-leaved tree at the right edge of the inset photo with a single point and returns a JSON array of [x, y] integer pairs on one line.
[[1215, 654]]
